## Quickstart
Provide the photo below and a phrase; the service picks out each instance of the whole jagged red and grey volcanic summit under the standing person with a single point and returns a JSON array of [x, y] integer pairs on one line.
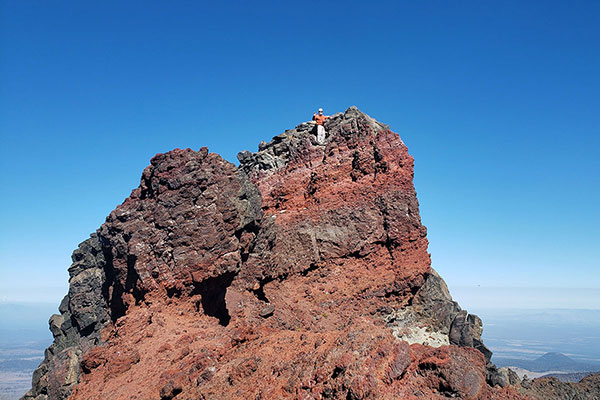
[[301, 274]]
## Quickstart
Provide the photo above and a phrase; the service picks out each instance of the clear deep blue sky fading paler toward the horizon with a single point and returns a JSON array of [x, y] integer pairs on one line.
[[498, 101]]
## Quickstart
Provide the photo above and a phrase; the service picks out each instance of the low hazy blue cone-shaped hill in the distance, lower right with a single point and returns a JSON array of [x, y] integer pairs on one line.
[[548, 362]]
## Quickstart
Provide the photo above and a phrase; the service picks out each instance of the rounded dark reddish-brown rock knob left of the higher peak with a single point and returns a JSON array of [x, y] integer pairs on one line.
[[191, 220]]
